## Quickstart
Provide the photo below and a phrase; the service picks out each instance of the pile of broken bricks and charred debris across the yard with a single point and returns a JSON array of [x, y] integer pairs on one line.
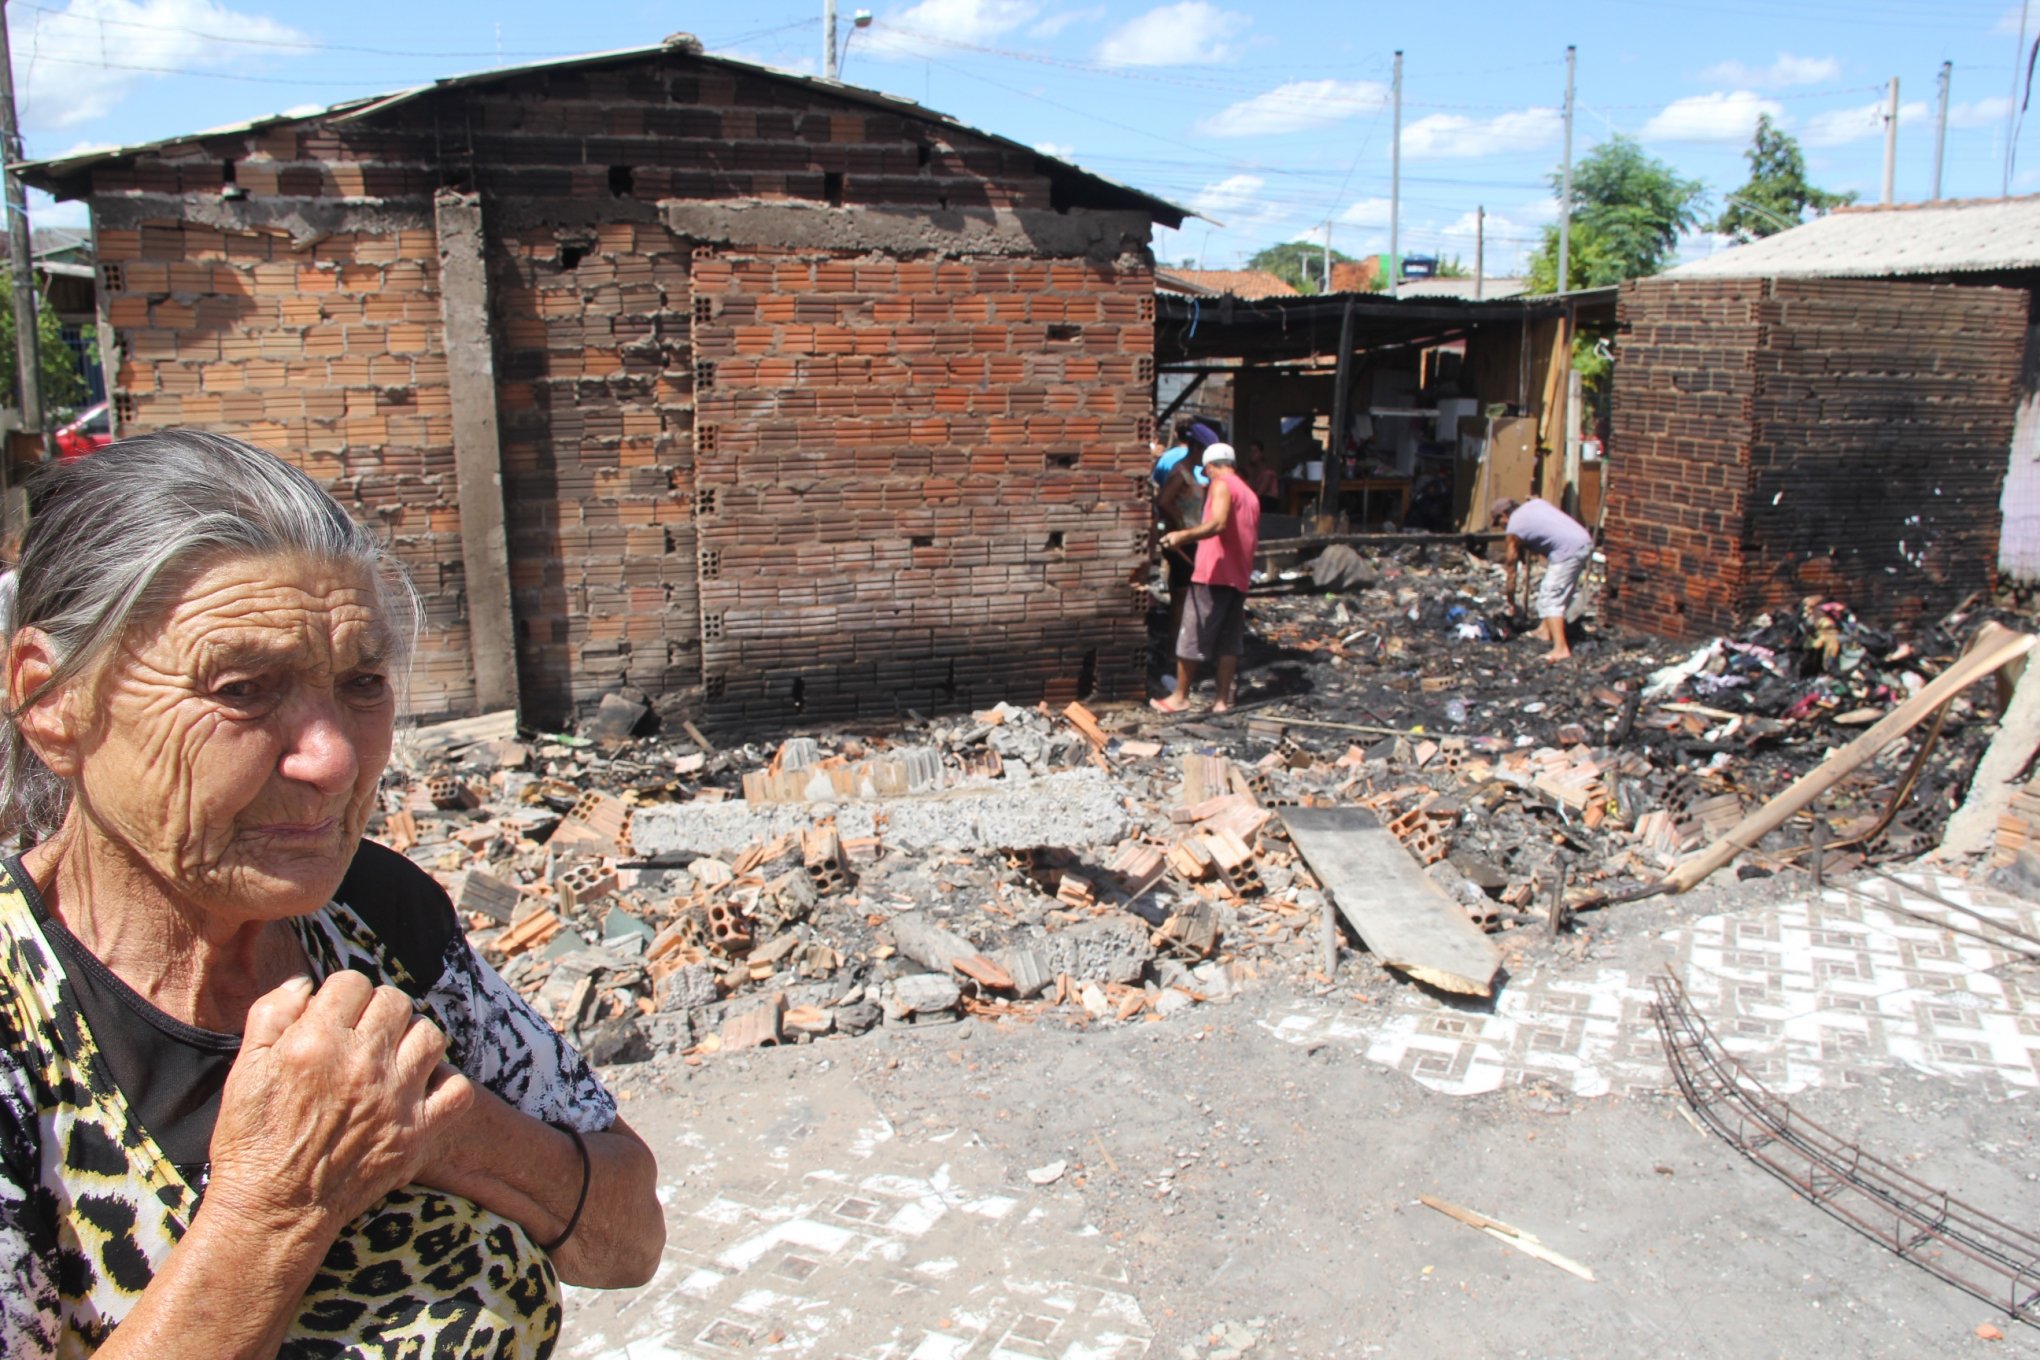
[[664, 896]]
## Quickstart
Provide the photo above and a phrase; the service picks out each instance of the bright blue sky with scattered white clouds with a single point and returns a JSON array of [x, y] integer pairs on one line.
[[1268, 119]]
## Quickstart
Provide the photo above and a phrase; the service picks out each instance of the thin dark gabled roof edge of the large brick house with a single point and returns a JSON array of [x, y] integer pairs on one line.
[[48, 174]]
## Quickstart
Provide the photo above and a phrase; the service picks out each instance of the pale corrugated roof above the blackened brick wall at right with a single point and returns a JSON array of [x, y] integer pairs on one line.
[[1982, 236]]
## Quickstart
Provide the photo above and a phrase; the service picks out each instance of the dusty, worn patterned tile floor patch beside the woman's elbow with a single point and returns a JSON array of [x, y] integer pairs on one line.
[[801, 1224]]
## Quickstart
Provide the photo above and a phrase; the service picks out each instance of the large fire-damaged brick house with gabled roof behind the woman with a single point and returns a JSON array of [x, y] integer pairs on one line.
[[774, 399]]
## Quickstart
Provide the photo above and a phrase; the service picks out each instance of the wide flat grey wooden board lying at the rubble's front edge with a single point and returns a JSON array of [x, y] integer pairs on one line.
[[1392, 904]]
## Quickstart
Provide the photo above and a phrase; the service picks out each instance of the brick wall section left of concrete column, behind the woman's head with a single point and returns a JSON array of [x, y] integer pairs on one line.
[[325, 354]]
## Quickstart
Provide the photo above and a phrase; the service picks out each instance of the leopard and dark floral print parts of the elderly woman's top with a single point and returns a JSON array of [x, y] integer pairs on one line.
[[91, 1206]]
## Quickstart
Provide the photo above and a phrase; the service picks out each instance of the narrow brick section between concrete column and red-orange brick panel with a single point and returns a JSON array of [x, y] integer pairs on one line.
[[597, 409]]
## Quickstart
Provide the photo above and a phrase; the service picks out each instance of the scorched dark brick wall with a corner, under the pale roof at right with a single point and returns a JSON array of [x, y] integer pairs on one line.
[[1806, 437]]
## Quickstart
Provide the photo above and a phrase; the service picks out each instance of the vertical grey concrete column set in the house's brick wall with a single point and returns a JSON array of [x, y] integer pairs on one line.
[[464, 305]]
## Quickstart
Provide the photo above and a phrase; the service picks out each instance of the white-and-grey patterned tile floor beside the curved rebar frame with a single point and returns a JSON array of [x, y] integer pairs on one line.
[[1802, 994]]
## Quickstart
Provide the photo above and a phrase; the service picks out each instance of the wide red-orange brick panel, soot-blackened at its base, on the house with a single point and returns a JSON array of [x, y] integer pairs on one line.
[[921, 484]]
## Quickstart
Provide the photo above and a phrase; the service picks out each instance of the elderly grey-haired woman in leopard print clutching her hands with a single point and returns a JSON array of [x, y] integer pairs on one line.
[[258, 1096]]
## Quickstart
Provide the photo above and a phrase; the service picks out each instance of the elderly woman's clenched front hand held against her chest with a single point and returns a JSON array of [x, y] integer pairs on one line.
[[336, 1100]]
